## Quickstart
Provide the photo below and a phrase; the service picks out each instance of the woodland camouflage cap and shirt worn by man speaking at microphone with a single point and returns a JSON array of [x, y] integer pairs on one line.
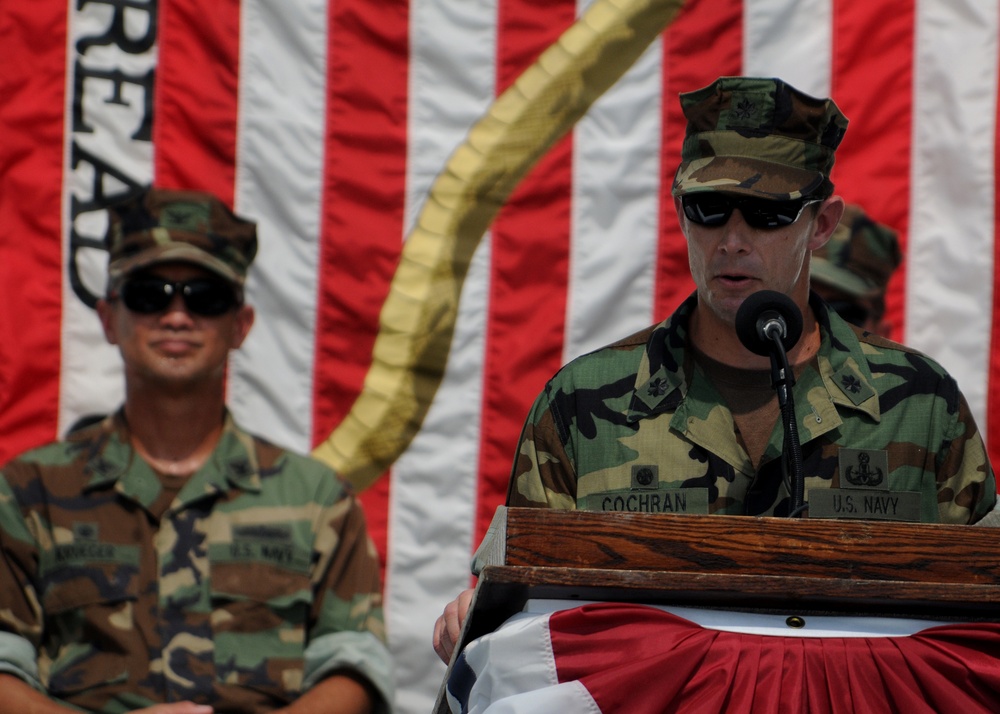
[[639, 426]]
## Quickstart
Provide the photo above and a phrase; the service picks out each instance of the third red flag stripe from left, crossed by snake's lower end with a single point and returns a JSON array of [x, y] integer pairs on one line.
[[363, 199]]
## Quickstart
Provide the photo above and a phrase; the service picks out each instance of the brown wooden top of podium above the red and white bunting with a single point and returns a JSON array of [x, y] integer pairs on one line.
[[738, 563]]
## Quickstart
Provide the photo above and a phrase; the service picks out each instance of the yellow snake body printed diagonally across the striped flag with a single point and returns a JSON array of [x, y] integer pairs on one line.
[[418, 317]]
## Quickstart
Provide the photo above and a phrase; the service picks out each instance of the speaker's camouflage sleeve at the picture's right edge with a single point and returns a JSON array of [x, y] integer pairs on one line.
[[966, 484]]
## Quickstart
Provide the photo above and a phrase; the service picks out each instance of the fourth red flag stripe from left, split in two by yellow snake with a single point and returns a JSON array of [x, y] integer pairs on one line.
[[524, 337]]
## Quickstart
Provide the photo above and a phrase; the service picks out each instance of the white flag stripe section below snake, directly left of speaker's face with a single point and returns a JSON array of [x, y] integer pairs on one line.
[[615, 210]]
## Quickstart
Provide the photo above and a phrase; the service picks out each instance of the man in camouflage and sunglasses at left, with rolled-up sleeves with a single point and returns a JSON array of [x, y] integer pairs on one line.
[[164, 559]]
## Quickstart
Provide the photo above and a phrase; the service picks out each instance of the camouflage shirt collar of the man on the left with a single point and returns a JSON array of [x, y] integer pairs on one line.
[[233, 463]]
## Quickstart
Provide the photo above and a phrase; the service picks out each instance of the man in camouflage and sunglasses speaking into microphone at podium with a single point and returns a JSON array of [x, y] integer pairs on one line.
[[682, 417]]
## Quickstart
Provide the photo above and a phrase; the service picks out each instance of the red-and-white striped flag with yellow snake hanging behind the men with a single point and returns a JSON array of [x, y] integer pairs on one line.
[[331, 123]]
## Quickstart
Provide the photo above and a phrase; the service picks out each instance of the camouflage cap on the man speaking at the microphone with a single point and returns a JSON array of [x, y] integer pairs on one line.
[[759, 137]]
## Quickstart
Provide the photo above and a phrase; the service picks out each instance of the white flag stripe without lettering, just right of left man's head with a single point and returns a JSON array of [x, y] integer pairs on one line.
[[282, 112]]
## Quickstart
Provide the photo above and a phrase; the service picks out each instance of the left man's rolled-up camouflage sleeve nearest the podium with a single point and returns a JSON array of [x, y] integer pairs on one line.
[[349, 626]]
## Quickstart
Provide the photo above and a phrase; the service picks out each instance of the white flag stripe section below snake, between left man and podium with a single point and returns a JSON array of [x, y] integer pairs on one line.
[[433, 502]]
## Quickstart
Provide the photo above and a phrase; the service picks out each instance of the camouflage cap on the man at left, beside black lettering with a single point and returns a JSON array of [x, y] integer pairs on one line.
[[158, 225]]
